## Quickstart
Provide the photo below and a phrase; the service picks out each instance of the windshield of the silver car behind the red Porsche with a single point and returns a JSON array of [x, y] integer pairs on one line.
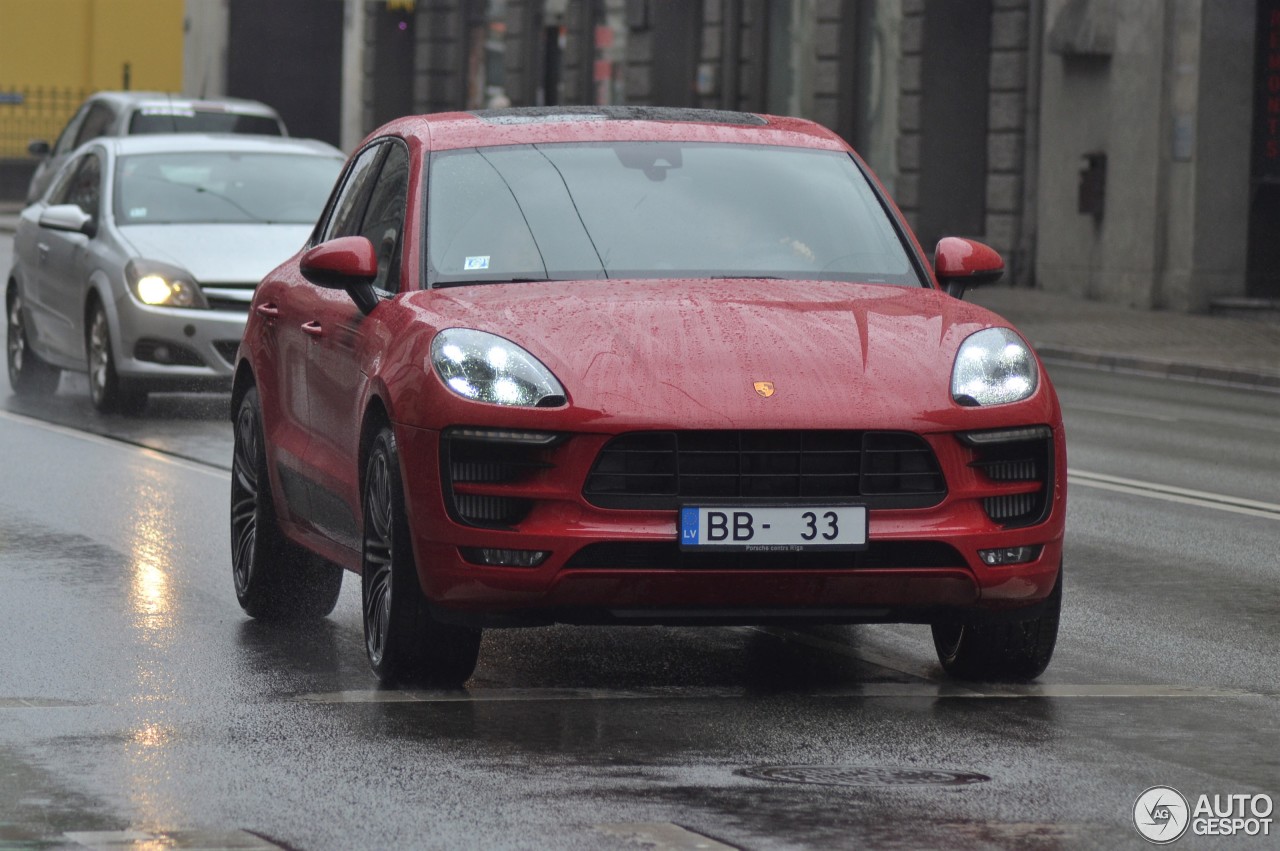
[[218, 187]]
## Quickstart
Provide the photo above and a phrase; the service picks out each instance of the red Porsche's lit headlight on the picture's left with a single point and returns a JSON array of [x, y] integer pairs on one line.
[[487, 368]]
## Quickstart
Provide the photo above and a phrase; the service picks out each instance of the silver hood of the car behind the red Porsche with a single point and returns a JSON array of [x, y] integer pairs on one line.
[[223, 254]]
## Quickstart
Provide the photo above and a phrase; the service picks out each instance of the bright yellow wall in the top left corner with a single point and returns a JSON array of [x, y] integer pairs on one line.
[[85, 44]]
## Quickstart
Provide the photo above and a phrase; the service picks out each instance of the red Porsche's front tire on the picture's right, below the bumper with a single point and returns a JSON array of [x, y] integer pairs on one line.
[[1013, 652]]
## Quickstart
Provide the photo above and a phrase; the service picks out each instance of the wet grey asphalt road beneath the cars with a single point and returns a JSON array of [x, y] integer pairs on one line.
[[139, 706]]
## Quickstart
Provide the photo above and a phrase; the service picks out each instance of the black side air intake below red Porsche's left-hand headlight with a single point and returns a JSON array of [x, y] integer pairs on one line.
[[477, 469]]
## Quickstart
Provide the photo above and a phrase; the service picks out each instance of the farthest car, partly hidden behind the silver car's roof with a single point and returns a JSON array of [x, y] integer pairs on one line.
[[135, 113]]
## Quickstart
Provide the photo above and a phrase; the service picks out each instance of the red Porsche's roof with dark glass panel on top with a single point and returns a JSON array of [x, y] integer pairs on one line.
[[546, 125]]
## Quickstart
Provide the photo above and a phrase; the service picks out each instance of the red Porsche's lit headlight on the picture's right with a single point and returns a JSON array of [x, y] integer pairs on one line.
[[994, 368]]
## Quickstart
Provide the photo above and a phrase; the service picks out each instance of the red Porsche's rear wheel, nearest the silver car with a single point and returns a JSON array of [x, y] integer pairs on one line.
[[276, 579]]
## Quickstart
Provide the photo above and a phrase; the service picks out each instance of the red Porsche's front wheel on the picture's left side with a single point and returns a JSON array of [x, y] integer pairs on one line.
[[405, 643]]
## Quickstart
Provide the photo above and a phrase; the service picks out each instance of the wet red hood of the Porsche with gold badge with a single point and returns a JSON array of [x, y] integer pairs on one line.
[[836, 355]]
